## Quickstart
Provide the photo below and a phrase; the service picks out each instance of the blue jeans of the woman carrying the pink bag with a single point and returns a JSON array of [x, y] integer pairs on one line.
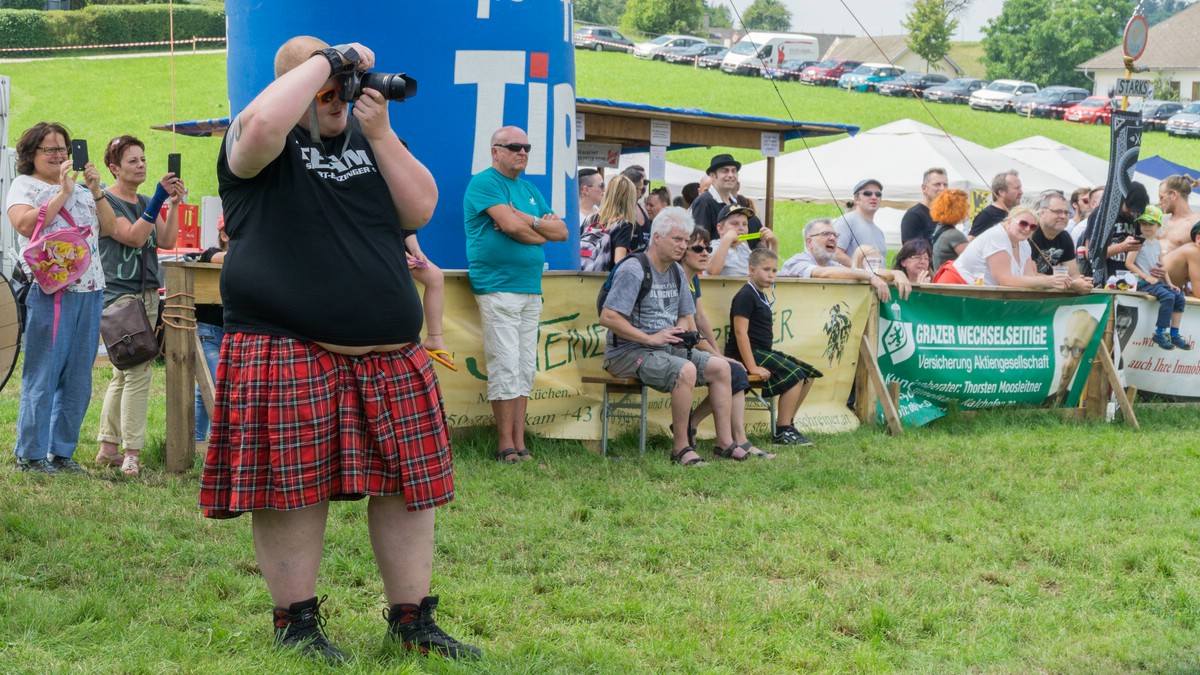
[[56, 384]]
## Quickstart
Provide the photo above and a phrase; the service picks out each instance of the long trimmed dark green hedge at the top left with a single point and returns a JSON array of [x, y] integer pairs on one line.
[[107, 25]]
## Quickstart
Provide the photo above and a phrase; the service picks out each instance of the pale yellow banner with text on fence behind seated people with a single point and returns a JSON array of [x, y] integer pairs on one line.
[[818, 322]]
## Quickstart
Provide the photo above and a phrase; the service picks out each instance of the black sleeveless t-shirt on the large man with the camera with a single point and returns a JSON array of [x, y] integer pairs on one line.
[[316, 250]]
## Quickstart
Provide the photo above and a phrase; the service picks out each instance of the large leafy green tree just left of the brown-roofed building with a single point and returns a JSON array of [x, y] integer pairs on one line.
[[1045, 40]]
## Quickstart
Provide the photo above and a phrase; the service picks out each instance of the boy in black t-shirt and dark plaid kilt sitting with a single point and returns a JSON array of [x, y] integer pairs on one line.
[[751, 342]]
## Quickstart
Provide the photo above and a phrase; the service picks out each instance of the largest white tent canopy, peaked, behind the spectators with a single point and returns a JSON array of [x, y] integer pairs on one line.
[[897, 156]]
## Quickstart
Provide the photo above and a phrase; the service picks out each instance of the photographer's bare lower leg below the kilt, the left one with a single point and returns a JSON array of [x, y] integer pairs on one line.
[[287, 547]]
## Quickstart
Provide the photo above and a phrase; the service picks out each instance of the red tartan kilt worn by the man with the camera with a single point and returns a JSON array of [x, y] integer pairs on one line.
[[295, 426]]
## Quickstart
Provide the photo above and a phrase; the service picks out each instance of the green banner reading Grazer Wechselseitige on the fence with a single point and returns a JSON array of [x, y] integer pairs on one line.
[[985, 354]]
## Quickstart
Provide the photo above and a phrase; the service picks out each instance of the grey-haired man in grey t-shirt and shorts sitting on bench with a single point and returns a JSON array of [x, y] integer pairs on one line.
[[645, 337]]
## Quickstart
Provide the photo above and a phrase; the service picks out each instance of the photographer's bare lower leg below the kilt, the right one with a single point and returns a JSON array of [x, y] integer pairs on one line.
[[404, 546]]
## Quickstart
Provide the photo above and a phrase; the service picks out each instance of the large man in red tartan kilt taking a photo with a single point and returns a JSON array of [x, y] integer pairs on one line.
[[323, 389]]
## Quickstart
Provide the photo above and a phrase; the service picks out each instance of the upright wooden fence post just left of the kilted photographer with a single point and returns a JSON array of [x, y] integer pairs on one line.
[[181, 374]]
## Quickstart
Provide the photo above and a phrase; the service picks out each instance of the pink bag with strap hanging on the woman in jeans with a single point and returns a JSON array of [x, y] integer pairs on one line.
[[58, 259]]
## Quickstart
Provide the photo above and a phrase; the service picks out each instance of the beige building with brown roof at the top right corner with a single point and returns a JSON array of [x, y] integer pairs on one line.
[[1172, 51]]
